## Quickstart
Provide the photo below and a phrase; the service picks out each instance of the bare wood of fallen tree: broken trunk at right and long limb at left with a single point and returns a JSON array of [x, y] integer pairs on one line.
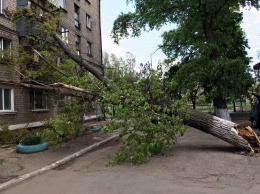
[[242, 138]]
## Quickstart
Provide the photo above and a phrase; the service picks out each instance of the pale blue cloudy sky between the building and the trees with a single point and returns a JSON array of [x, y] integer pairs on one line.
[[144, 48]]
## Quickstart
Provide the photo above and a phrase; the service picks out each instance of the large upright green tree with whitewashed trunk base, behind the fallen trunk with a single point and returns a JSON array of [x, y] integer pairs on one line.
[[207, 39]]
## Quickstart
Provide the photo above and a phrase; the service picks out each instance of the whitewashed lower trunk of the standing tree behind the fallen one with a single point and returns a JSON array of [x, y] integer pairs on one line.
[[220, 109]]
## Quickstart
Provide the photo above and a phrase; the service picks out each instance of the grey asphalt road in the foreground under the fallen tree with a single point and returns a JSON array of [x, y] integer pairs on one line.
[[200, 163]]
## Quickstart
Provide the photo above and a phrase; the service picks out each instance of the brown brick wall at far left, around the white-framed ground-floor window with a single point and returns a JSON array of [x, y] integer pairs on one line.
[[10, 79]]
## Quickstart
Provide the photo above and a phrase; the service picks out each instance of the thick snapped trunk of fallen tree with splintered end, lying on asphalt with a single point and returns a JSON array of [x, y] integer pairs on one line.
[[242, 138]]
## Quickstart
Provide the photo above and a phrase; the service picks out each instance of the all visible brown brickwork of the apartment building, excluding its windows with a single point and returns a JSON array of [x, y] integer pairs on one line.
[[22, 112]]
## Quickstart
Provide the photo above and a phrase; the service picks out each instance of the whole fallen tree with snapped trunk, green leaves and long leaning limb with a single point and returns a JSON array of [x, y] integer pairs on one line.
[[139, 107]]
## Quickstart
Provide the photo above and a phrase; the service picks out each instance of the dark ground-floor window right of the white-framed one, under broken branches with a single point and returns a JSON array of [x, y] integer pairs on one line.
[[38, 99]]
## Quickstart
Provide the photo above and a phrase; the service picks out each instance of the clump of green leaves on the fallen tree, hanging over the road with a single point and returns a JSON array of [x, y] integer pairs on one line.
[[148, 119]]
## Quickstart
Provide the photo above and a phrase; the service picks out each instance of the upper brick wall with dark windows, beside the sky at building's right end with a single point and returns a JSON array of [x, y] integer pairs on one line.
[[92, 35]]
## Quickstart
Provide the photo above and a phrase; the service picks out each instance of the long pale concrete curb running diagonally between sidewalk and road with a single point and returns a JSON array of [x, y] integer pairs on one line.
[[24, 177]]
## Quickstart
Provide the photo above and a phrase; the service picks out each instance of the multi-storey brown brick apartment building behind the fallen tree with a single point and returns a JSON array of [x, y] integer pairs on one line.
[[26, 105]]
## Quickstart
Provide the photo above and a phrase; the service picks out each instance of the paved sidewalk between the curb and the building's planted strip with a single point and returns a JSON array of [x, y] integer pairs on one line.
[[13, 165]]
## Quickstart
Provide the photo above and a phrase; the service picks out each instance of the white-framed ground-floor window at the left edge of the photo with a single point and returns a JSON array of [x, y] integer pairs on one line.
[[6, 99]]
